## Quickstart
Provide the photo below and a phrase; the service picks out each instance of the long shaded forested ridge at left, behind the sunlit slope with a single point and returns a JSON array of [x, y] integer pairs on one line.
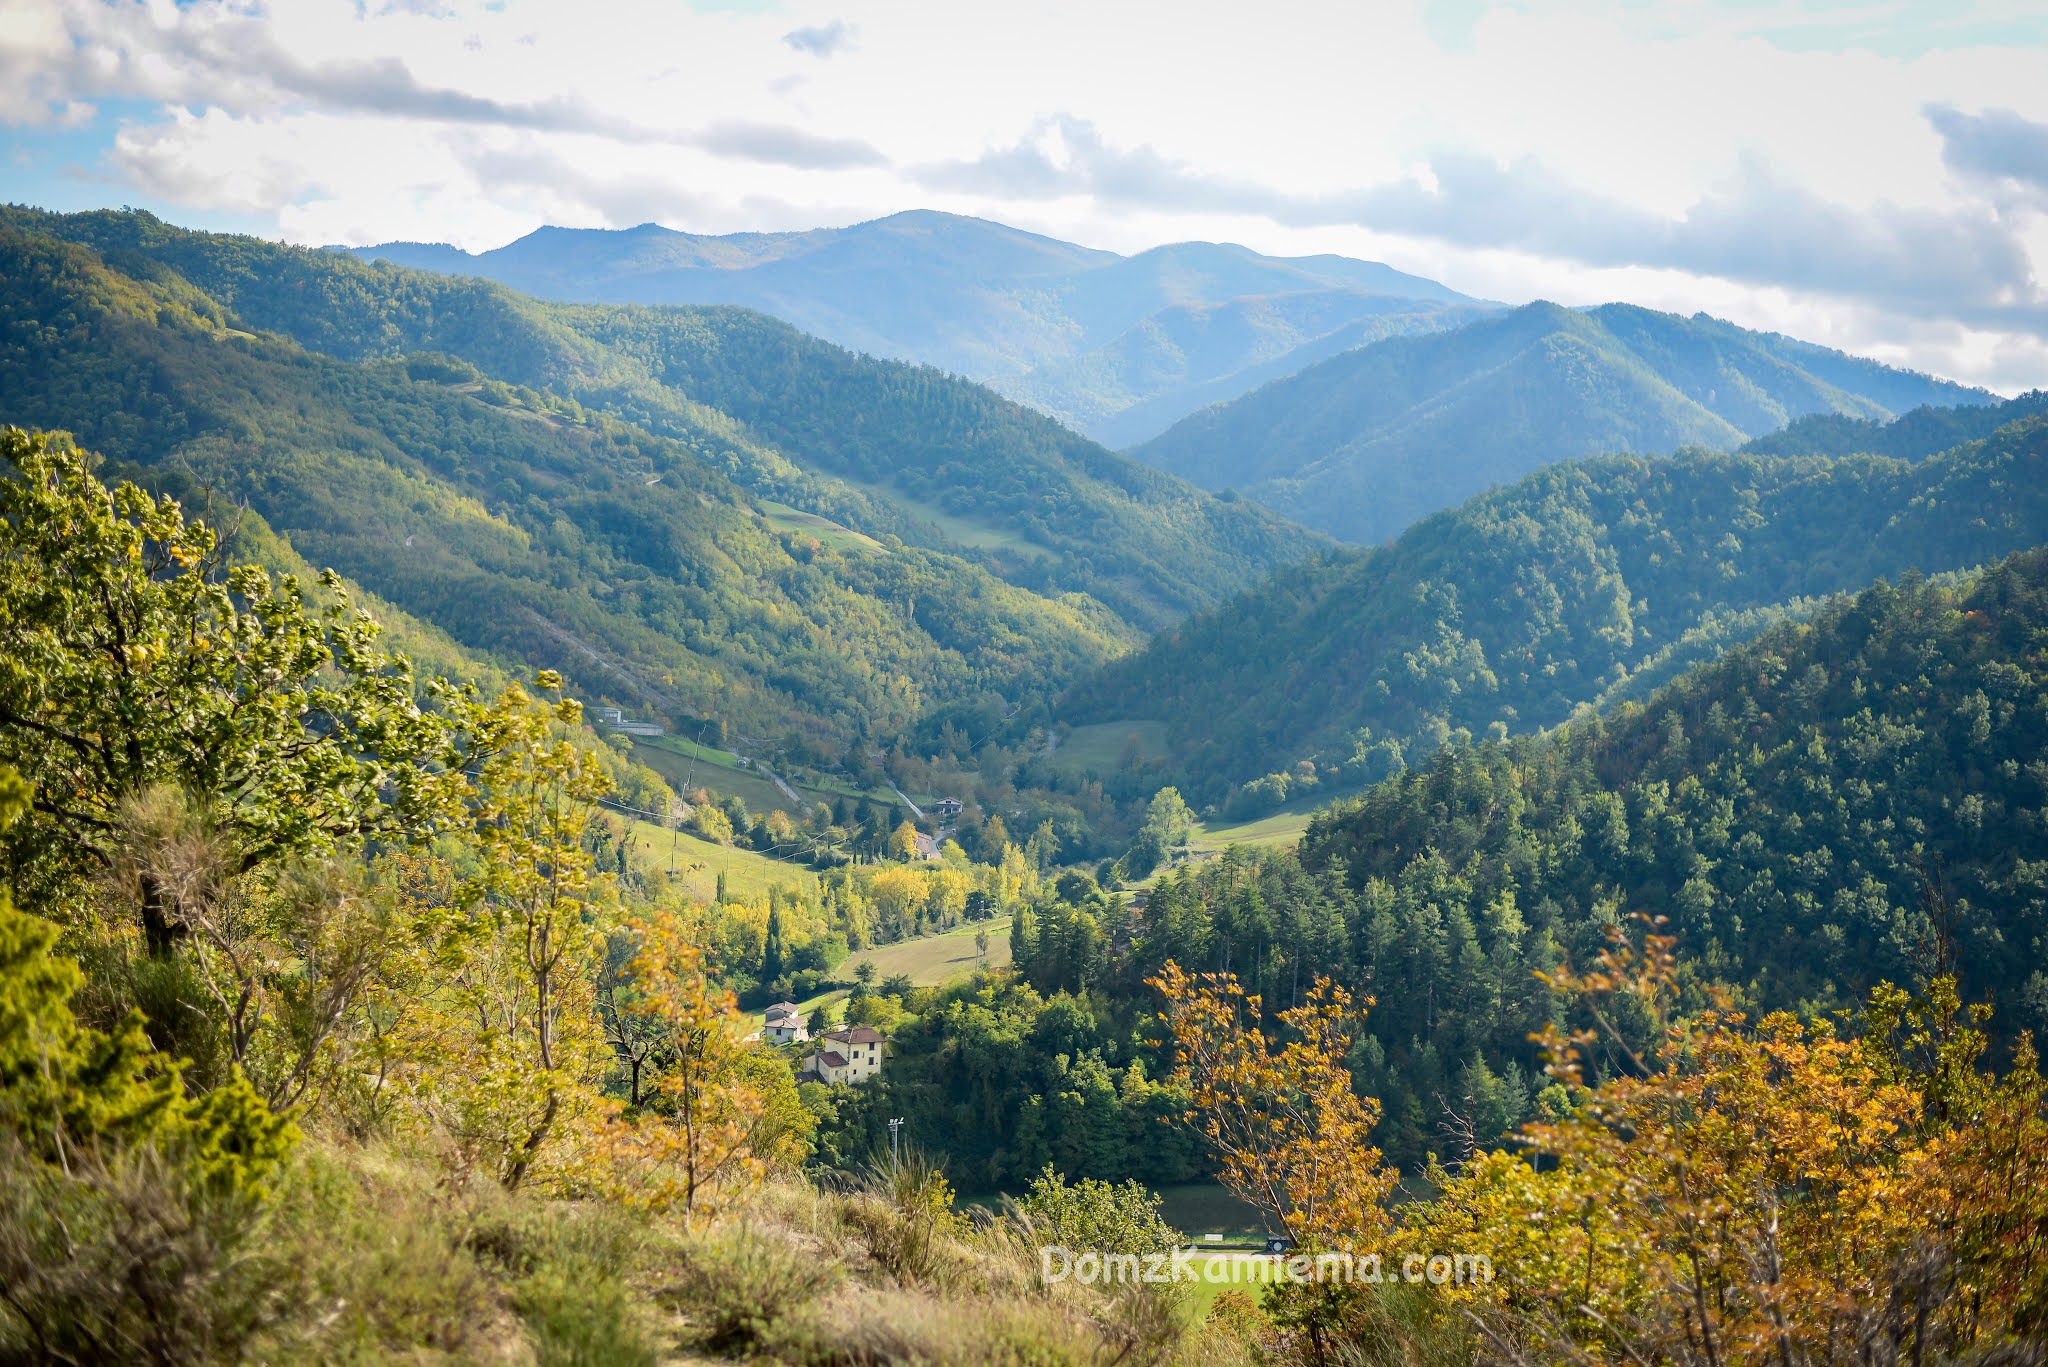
[[880, 448]]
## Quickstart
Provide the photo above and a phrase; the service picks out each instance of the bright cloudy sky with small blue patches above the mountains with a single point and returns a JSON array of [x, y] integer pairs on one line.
[[1859, 173]]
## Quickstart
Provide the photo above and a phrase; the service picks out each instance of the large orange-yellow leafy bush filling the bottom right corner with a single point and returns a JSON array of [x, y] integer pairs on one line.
[[1768, 1194]]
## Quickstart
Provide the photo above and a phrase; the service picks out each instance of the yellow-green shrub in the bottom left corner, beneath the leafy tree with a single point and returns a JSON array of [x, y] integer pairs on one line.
[[132, 1216]]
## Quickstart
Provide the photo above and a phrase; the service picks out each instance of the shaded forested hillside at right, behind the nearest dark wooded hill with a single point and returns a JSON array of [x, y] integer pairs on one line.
[[1586, 581]]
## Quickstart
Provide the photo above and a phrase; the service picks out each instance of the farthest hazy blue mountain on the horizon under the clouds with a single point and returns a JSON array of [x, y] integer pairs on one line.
[[1119, 347]]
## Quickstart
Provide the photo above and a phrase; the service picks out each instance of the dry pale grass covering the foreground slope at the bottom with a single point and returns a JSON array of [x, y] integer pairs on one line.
[[380, 1259]]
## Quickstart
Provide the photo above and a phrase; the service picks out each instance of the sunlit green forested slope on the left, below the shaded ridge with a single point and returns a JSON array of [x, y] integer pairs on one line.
[[523, 524]]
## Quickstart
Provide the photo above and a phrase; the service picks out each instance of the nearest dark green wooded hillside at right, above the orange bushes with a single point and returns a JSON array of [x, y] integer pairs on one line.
[[1850, 800]]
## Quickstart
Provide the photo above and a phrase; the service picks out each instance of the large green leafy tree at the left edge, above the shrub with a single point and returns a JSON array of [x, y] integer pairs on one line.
[[130, 661]]
